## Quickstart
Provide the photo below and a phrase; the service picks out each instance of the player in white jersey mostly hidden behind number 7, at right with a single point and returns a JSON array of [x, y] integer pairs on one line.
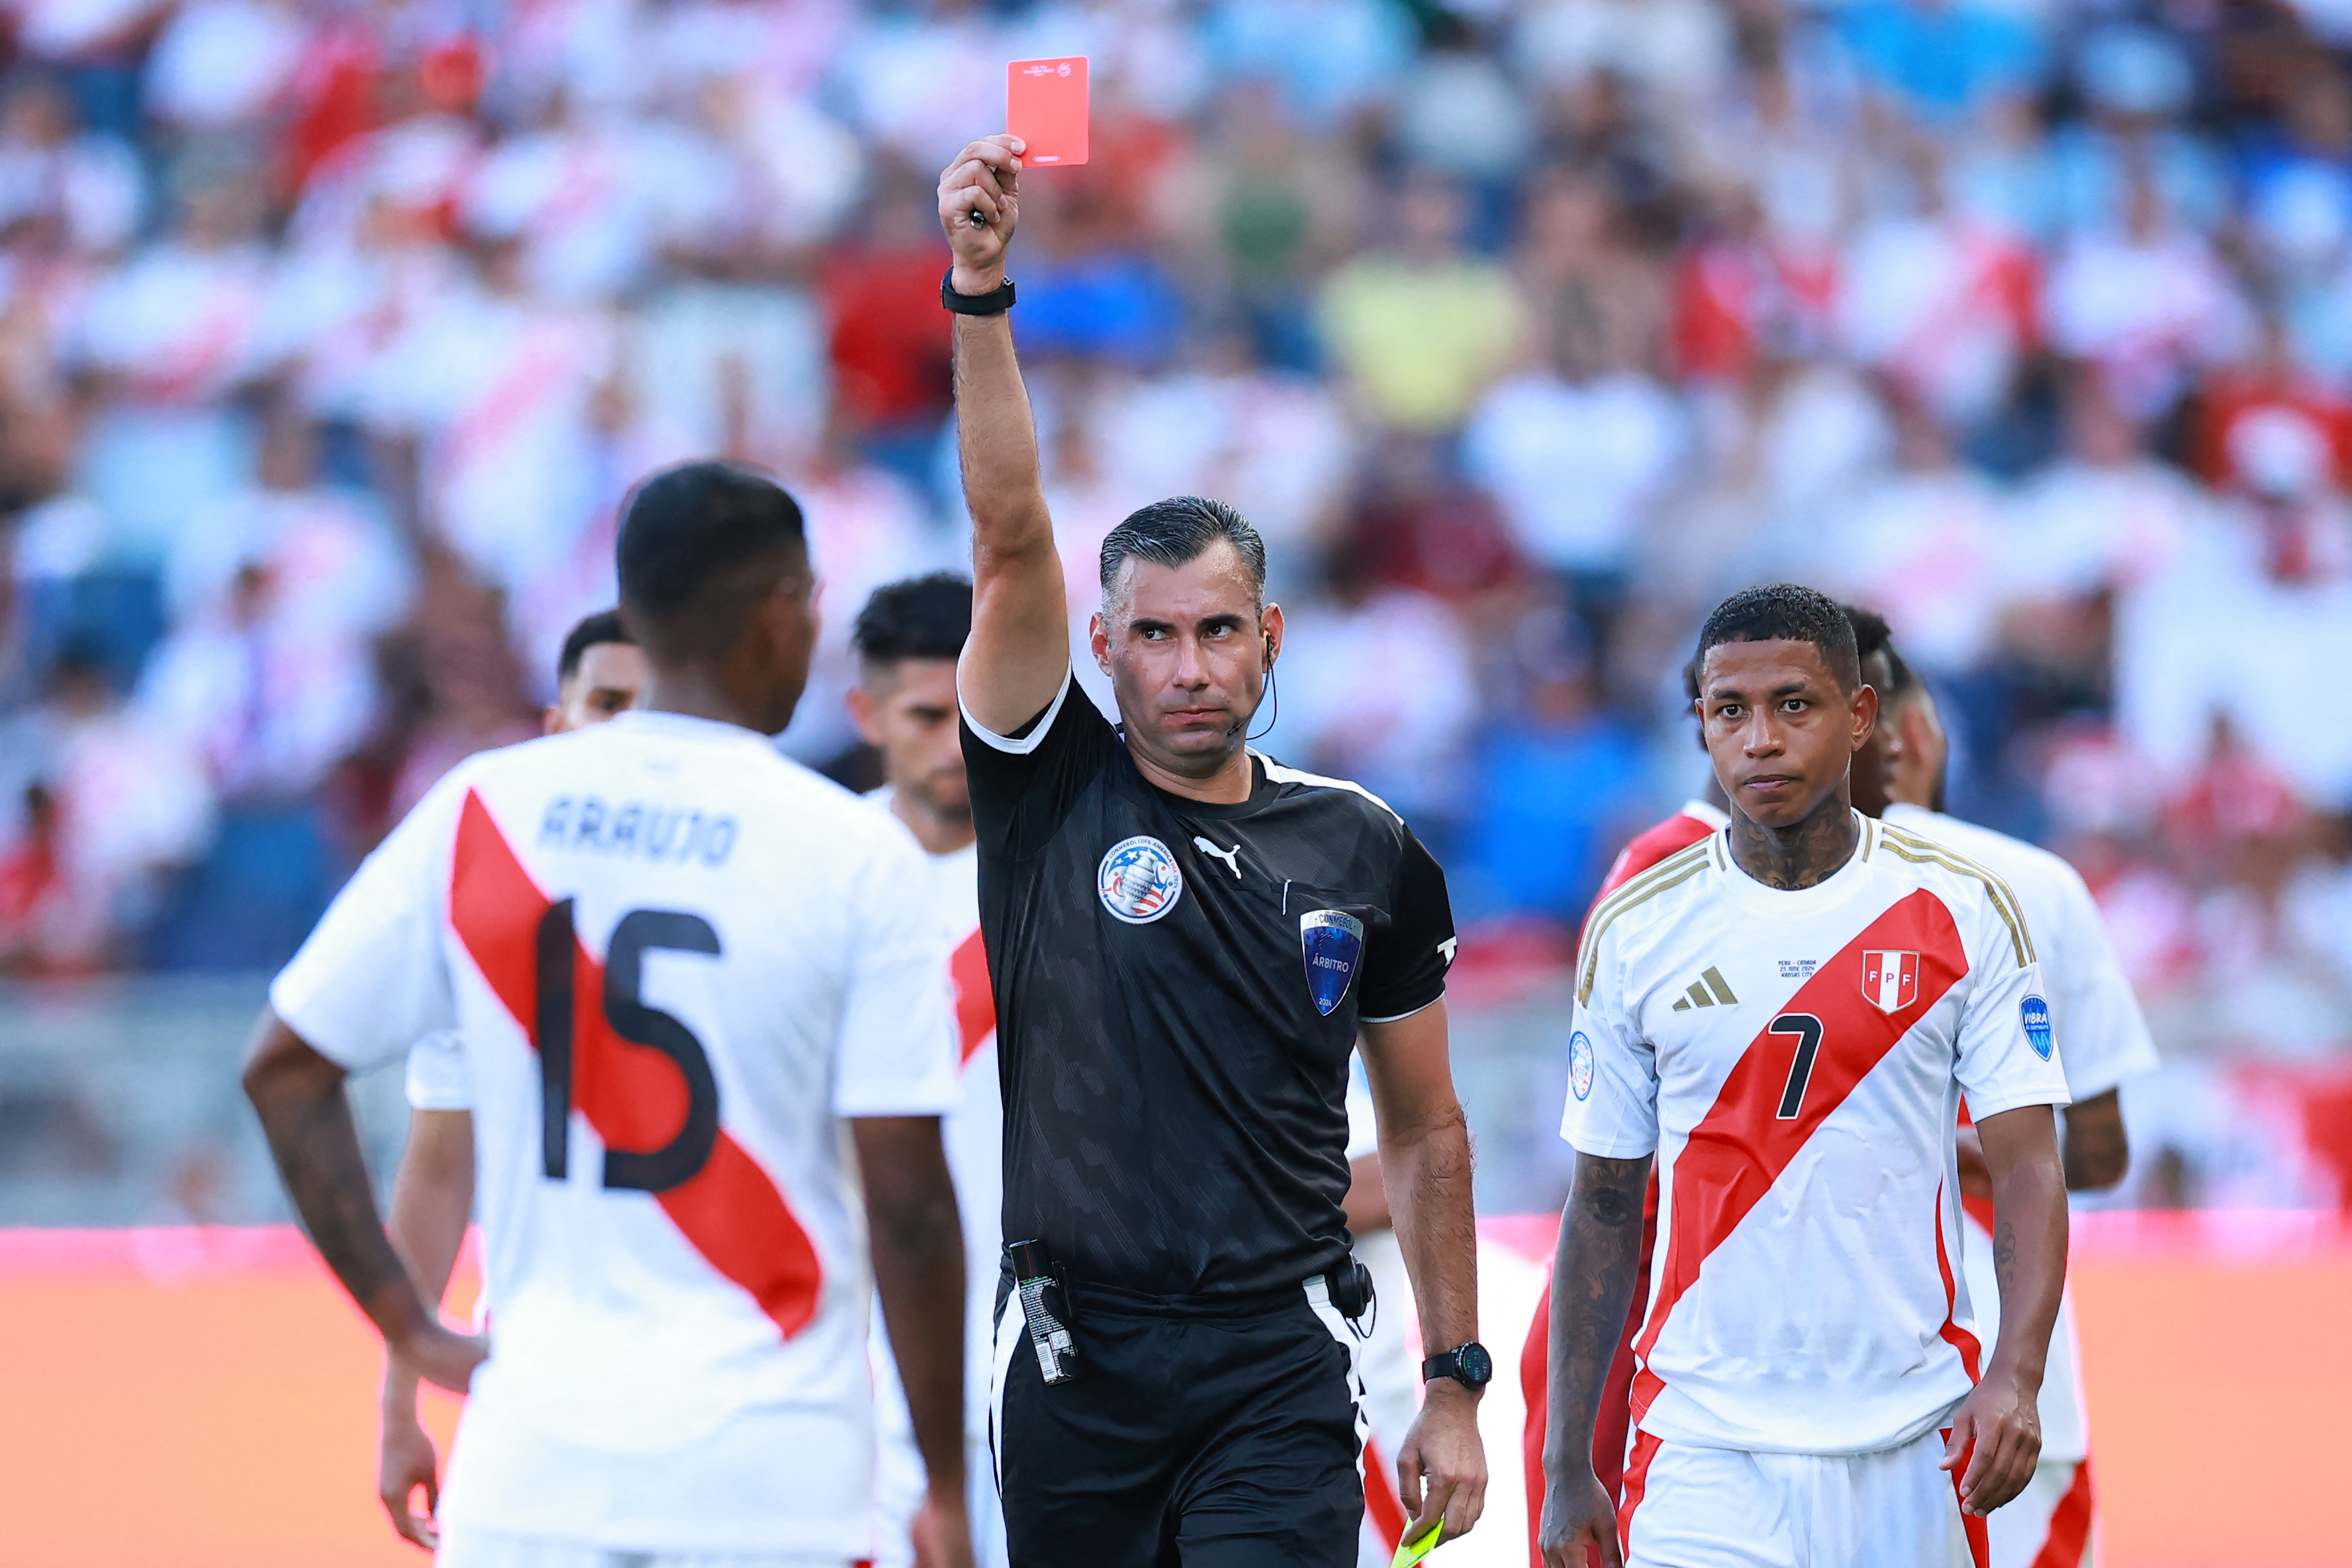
[[1899, 779]]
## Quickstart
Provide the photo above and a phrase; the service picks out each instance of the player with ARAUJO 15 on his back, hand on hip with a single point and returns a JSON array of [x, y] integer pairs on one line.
[[702, 996]]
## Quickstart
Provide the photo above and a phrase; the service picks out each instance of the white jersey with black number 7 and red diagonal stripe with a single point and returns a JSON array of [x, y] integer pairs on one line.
[[1796, 1059]]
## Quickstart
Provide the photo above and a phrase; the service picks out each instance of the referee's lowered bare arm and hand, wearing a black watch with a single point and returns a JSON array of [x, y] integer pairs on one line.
[[1426, 1177]]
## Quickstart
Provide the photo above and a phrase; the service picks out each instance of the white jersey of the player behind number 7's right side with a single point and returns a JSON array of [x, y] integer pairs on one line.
[[2106, 1045]]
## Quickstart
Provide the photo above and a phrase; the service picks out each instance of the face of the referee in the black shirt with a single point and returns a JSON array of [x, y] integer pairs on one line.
[[1189, 652]]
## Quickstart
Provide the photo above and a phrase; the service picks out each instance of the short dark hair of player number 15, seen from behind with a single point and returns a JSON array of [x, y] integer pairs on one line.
[[697, 549]]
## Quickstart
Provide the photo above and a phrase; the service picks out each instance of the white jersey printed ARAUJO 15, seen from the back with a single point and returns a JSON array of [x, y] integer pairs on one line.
[[676, 965]]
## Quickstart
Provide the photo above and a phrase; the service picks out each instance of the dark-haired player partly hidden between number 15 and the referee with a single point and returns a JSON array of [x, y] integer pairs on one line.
[[904, 704]]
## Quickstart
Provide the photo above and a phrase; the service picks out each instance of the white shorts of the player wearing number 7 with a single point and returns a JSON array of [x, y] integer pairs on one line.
[[1725, 1508]]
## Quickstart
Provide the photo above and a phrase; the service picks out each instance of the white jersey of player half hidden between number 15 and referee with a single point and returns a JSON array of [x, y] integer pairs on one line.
[[975, 1139]]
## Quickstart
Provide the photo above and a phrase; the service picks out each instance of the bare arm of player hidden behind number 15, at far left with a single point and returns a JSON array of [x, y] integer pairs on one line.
[[432, 1205]]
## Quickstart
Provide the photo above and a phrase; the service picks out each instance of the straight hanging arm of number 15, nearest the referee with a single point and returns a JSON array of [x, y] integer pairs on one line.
[[918, 1254]]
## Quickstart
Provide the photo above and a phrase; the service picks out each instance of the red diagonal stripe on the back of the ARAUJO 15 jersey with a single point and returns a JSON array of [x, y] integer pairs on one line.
[[634, 1097]]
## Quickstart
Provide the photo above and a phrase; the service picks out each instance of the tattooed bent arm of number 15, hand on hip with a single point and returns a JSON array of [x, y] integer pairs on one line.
[[300, 1099]]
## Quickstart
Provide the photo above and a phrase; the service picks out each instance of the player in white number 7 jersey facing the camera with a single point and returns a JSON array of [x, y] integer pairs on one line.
[[1789, 1014]]
